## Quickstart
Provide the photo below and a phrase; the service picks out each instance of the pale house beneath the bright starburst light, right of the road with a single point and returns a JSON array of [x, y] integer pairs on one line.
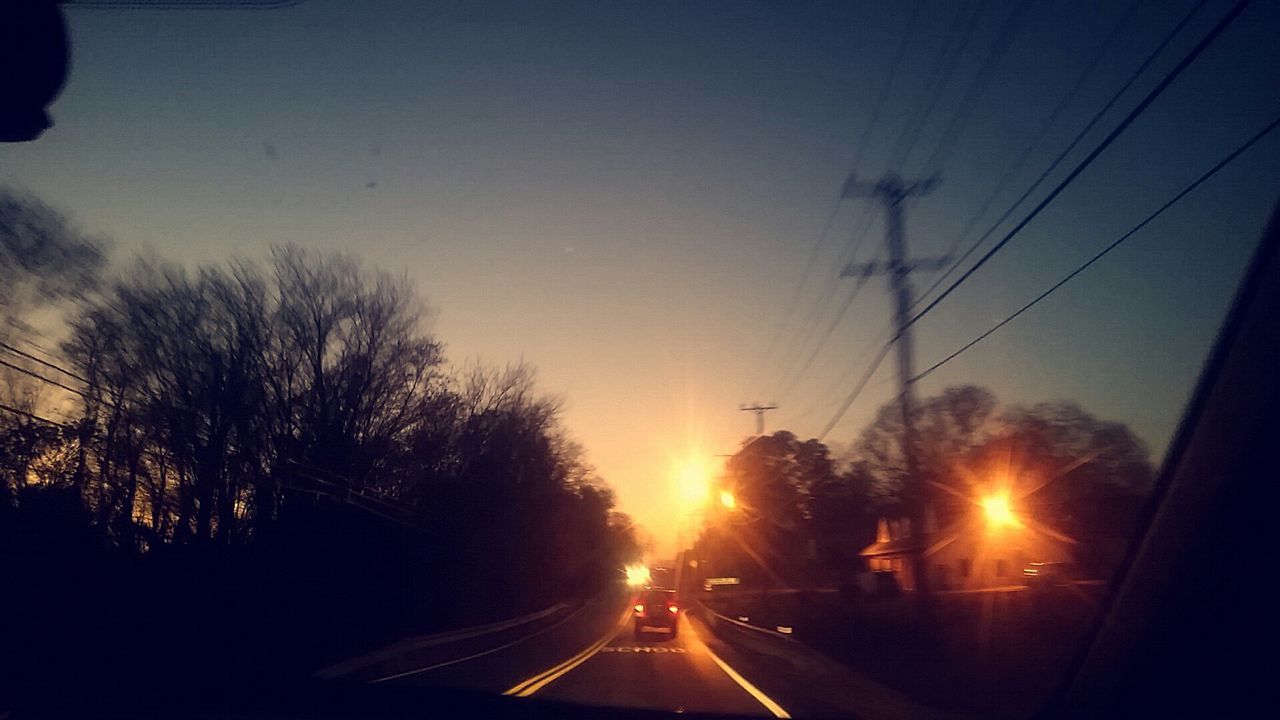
[[973, 552]]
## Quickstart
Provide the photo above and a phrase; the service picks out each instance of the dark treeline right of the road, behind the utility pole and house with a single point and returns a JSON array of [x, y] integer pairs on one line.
[[802, 514]]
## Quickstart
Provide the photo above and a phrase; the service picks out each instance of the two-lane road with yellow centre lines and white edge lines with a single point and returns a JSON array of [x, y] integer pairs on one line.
[[588, 655]]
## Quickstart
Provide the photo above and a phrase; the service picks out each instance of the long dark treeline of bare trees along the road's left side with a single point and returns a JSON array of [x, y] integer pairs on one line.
[[269, 445]]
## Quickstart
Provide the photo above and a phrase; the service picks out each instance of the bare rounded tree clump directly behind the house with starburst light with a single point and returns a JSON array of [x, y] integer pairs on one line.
[[1078, 475]]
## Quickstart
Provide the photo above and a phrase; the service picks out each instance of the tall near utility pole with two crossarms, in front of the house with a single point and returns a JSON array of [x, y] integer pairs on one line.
[[892, 193]]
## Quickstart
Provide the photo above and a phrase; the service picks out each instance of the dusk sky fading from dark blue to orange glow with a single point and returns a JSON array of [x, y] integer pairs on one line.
[[629, 195]]
